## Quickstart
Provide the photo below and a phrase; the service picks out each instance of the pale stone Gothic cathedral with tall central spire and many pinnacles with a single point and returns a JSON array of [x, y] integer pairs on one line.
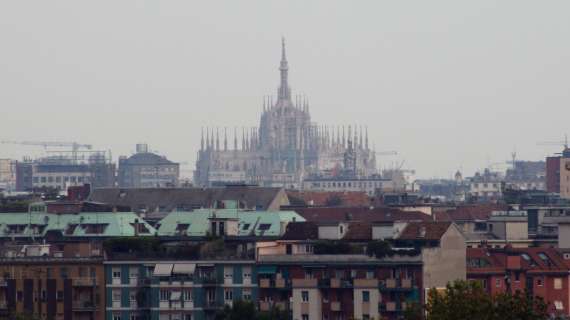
[[286, 148]]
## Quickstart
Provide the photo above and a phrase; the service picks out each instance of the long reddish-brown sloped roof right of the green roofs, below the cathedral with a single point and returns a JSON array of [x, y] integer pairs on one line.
[[383, 214]]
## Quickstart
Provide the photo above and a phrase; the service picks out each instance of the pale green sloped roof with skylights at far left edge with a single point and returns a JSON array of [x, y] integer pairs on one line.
[[114, 224]]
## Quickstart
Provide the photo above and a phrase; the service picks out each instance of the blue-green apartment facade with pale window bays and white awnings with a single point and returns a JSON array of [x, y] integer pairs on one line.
[[134, 291]]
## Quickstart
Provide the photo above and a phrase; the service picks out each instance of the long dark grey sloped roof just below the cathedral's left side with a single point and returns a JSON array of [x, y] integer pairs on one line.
[[171, 198]]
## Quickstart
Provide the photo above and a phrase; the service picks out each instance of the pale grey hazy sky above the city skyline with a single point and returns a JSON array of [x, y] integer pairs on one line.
[[448, 84]]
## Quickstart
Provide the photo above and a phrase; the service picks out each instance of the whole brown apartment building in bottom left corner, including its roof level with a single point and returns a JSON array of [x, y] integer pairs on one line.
[[59, 282]]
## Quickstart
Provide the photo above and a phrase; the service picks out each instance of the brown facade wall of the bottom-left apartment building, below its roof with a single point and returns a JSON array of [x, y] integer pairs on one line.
[[54, 289]]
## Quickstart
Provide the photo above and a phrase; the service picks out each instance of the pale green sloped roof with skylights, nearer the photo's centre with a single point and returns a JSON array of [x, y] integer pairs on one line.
[[250, 223]]
